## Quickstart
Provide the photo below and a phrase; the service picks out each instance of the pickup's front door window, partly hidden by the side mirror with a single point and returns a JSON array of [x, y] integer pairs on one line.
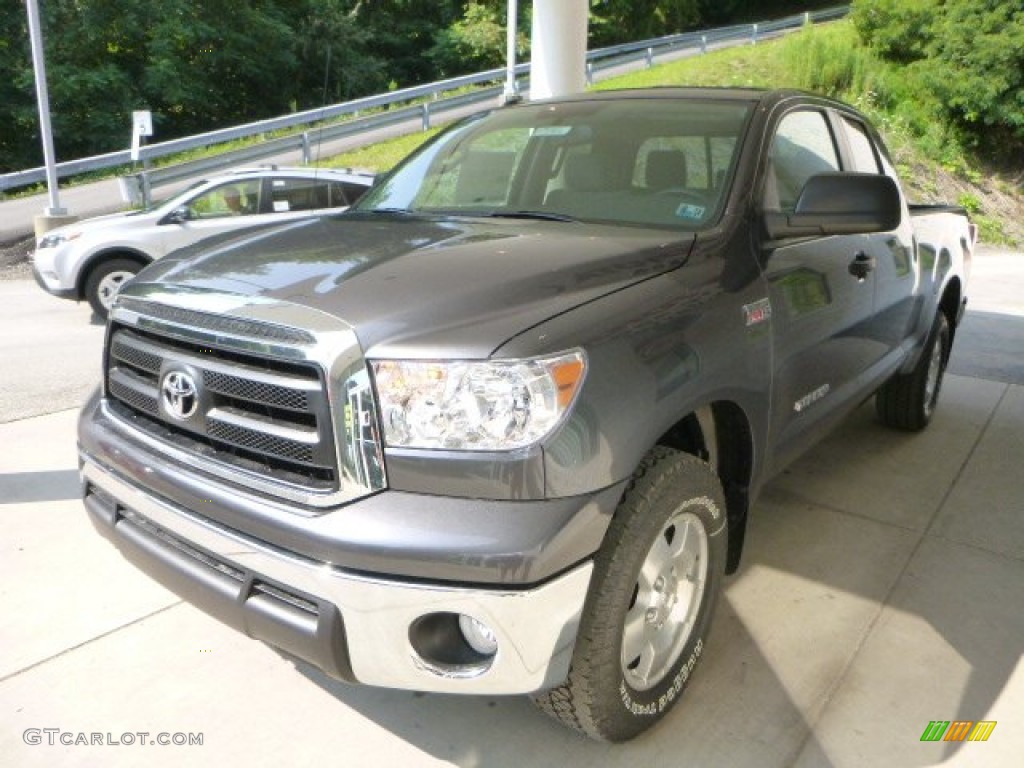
[[803, 147]]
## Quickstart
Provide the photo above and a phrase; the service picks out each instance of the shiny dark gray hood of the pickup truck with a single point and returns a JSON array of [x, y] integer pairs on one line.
[[428, 287]]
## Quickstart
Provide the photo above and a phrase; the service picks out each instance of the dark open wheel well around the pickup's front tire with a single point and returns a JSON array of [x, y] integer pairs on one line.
[[720, 434]]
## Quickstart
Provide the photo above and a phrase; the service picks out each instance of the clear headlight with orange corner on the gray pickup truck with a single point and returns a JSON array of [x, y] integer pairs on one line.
[[476, 406]]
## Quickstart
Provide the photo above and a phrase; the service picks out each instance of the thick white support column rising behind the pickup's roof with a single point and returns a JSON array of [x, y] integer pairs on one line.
[[560, 49]]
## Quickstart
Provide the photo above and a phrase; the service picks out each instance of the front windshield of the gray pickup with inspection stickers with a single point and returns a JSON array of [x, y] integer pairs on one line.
[[661, 162]]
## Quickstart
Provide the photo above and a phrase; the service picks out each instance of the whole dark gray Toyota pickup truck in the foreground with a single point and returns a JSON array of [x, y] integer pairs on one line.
[[498, 429]]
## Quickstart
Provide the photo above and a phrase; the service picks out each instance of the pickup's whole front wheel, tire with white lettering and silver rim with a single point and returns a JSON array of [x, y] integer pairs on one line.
[[650, 608]]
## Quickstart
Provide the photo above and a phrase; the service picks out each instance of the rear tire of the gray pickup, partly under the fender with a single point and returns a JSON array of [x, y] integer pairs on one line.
[[908, 401]]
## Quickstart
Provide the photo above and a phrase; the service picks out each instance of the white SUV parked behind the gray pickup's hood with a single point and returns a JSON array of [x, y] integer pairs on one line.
[[91, 260]]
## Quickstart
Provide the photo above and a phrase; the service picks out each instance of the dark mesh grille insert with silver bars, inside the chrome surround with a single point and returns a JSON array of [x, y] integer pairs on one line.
[[252, 415]]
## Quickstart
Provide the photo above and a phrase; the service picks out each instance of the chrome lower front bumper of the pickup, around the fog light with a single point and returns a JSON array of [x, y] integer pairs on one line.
[[354, 627]]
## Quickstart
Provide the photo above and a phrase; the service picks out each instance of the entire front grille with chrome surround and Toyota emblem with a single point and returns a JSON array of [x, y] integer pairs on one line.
[[294, 417]]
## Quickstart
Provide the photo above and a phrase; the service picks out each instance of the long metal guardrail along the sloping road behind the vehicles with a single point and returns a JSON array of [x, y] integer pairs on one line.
[[599, 60]]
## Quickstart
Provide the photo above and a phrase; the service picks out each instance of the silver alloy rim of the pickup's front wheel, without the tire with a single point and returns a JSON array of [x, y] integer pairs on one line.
[[667, 599]]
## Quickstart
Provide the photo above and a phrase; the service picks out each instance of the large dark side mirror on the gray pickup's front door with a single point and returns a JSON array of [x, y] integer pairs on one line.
[[840, 204]]
